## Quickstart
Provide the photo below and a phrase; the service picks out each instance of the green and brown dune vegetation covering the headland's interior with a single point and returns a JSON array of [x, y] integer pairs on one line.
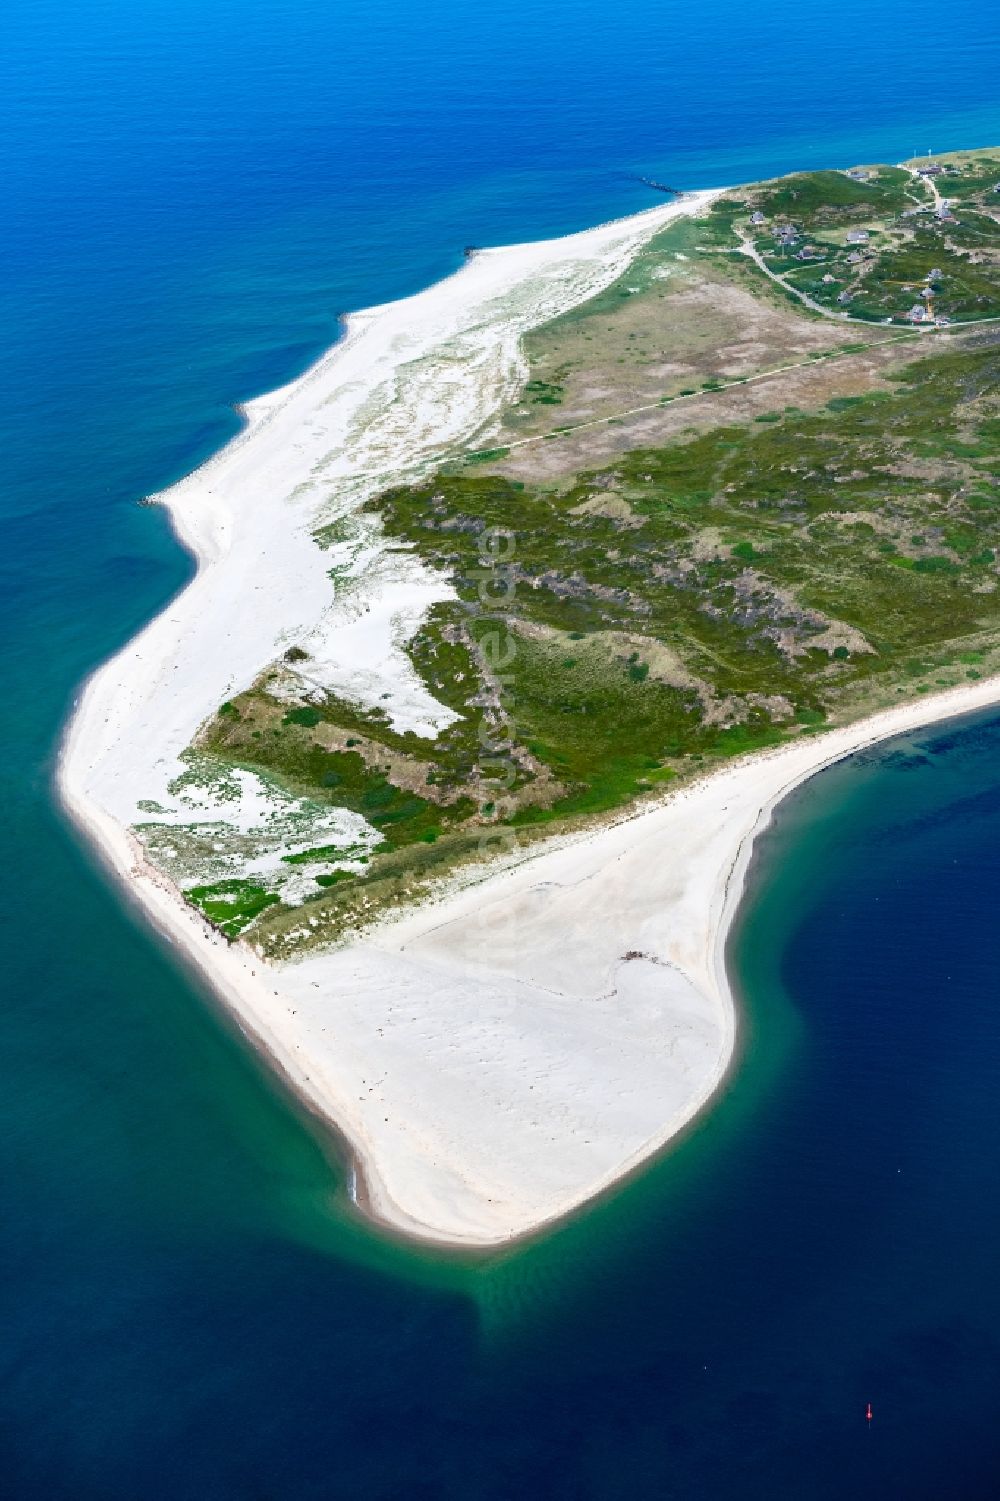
[[715, 519]]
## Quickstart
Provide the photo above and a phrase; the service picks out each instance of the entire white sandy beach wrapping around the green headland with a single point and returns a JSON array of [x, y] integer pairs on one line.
[[507, 1053]]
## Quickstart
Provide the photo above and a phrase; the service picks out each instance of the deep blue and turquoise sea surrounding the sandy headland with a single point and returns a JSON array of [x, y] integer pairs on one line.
[[193, 193]]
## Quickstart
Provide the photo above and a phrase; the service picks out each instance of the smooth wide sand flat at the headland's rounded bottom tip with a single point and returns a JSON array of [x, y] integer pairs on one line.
[[496, 1060]]
